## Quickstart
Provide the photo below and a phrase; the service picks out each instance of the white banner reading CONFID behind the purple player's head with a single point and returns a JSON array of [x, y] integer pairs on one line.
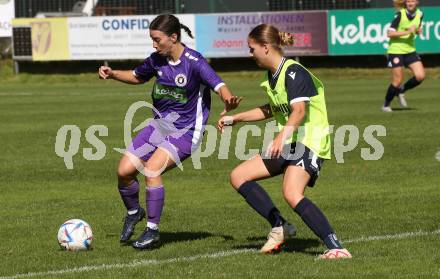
[[116, 37]]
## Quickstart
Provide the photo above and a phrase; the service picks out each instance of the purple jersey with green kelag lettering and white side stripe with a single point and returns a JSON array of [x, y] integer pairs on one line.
[[182, 87]]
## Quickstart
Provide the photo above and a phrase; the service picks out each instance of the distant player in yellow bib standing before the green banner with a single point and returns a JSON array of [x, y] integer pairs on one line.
[[402, 51]]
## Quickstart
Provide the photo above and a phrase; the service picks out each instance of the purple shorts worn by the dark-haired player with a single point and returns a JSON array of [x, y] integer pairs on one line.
[[151, 138]]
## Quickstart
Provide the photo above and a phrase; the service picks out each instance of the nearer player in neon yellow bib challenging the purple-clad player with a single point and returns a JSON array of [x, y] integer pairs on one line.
[[296, 101]]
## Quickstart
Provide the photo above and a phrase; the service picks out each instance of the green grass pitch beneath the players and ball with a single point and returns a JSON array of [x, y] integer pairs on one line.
[[387, 211]]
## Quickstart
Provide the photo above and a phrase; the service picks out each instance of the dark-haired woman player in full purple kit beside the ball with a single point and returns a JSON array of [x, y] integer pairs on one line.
[[181, 98]]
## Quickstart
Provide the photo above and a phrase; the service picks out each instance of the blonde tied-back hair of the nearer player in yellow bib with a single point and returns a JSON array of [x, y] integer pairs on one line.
[[269, 34]]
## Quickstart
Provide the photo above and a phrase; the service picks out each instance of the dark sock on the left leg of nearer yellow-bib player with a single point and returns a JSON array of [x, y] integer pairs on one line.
[[260, 201]]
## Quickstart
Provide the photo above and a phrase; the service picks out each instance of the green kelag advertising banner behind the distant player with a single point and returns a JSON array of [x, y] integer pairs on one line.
[[363, 32]]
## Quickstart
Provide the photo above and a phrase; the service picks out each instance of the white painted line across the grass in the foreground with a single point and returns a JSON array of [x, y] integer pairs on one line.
[[222, 254]]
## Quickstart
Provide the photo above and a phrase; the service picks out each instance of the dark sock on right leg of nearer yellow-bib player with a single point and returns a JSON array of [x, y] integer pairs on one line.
[[316, 221]]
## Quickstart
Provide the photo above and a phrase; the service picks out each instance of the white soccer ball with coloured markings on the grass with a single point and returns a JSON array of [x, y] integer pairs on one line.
[[75, 235]]
